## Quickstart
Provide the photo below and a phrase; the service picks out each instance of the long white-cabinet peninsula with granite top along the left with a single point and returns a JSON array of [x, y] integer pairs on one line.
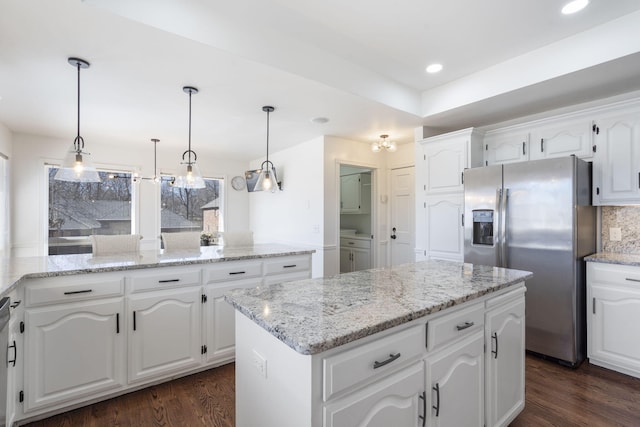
[[87, 328]]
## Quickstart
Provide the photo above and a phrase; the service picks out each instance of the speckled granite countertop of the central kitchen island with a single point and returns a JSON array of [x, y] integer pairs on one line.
[[315, 315]]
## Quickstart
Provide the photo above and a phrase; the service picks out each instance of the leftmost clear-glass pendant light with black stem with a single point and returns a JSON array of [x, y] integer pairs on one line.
[[77, 166]]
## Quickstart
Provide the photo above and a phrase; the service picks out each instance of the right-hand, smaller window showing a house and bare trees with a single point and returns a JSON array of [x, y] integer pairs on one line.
[[192, 209]]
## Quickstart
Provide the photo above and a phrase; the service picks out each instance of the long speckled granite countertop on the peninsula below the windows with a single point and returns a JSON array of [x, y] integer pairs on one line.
[[13, 270]]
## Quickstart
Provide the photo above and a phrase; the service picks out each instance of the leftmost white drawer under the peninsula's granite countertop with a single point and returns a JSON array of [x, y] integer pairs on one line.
[[57, 290]]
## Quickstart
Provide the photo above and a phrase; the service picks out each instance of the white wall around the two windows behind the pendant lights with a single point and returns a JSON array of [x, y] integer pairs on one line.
[[29, 189]]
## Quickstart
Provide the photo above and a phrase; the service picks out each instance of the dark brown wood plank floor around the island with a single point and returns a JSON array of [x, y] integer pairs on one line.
[[556, 396]]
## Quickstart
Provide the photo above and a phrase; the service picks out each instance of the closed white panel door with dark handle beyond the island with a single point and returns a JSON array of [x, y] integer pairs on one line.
[[402, 215]]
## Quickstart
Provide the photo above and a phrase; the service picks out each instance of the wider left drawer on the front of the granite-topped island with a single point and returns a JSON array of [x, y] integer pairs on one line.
[[369, 361]]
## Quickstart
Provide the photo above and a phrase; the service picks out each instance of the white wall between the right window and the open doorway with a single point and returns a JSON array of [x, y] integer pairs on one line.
[[293, 216]]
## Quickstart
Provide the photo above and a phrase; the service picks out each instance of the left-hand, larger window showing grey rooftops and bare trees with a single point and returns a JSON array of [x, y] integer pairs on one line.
[[80, 209]]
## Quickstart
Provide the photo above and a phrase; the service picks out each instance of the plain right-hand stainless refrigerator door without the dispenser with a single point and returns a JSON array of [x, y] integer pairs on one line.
[[540, 224]]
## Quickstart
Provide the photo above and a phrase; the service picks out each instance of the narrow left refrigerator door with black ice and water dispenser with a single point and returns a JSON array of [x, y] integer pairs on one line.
[[482, 188]]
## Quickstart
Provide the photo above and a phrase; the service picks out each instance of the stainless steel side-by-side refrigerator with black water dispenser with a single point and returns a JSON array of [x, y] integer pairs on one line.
[[537, 216]]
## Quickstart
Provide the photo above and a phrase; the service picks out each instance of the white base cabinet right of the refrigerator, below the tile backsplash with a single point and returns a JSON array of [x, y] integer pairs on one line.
[[613, 313]]
